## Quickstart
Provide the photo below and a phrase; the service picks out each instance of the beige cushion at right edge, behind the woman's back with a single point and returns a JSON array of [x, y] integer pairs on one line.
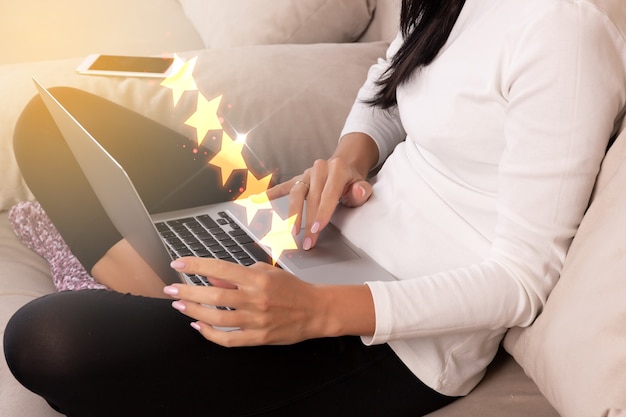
[[576, 349]]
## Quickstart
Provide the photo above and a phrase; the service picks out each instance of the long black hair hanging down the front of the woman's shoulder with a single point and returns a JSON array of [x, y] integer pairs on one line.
[[425, 26]]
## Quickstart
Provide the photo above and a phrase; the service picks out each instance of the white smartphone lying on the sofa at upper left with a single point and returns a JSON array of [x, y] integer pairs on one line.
[[128, 66]]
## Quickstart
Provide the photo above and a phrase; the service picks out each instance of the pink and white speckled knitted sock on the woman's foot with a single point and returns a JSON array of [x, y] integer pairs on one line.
[[32, 225]]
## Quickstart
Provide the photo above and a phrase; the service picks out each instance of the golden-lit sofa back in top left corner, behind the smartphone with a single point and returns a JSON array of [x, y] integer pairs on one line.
[[34, 30]]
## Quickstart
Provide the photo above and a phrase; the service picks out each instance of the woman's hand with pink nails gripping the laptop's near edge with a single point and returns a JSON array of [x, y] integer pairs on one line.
[[268, 305]]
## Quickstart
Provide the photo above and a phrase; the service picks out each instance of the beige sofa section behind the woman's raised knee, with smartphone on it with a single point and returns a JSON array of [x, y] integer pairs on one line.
[[292, 100]]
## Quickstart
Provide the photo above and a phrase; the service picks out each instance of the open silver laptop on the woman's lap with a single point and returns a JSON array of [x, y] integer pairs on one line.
[[218, 230]]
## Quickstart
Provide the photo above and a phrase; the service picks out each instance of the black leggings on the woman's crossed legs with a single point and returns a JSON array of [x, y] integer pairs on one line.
[[102, 353]]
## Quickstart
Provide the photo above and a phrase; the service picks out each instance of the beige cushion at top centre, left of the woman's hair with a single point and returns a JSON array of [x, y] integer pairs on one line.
[[250, 22]]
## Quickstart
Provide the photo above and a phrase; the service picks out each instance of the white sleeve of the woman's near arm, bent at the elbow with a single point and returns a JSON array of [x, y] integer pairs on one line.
[[564, 83]]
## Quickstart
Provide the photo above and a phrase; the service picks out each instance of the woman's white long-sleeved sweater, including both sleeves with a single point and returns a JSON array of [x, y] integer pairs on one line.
[[492, 155]]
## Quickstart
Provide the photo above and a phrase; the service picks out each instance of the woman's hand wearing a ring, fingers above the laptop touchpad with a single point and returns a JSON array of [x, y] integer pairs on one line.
[[340, 179]]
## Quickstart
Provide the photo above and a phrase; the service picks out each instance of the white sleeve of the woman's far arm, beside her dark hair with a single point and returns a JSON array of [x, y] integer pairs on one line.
[[383, 126]]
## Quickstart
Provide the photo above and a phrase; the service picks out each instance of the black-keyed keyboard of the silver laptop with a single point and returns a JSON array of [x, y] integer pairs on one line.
[[206, 237]]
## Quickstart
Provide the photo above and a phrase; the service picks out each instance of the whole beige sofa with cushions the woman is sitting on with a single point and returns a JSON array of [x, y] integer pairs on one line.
[[291, 71]]
